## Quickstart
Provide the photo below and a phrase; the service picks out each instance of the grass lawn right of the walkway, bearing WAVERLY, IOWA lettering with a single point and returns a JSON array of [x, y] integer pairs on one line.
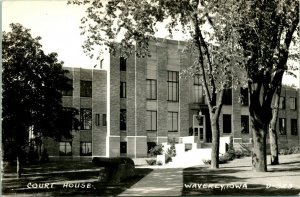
[[283, 179]]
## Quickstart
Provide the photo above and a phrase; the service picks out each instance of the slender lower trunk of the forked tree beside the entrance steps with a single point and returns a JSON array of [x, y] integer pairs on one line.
[[215, 141]]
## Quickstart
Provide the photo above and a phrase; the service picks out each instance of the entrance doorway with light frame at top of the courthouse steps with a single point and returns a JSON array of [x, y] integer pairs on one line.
[[199, 127]]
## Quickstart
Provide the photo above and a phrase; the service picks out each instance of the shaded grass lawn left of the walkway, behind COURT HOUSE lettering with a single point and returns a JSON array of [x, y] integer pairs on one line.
[[59, 178]]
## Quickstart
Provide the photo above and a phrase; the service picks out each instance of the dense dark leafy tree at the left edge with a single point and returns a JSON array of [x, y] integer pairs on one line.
[[32, 91]]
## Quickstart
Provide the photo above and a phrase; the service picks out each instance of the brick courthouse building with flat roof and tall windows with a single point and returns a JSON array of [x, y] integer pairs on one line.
[[139, 102]]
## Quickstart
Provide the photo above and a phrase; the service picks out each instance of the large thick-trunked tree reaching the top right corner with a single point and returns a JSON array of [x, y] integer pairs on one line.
[[266, 30]]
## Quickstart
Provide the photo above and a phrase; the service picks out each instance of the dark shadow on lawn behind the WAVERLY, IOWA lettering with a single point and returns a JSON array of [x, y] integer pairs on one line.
[[195, 178]]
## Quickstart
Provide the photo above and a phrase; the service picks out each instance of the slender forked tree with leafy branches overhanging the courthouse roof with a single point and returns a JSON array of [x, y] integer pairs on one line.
[[129, 26]]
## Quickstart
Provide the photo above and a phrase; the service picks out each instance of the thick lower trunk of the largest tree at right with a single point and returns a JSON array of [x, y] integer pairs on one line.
[[259, 159]]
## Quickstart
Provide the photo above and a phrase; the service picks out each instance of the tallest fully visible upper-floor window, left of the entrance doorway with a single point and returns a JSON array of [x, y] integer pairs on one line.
[[173, 81]]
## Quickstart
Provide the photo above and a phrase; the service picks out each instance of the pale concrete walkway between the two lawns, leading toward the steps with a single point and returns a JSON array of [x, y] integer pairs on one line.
[[160, 182]]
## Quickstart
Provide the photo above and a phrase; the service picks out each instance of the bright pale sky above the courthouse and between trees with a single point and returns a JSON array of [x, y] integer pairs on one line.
[[58, 25]]
